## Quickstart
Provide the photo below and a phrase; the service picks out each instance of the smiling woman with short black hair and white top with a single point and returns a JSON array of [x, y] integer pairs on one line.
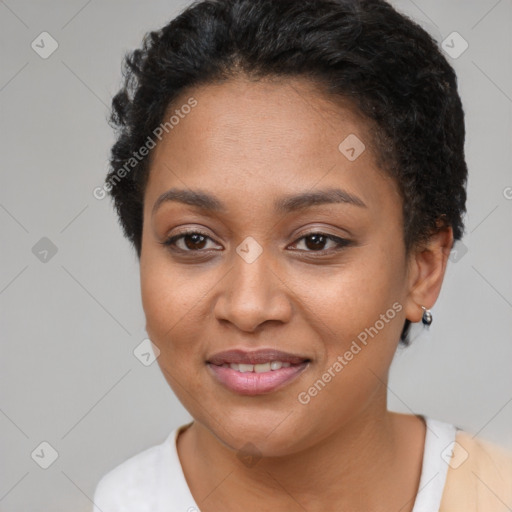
[[292, 178]]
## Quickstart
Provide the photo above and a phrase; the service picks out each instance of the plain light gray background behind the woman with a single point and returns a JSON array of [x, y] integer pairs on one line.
[[69, 325]]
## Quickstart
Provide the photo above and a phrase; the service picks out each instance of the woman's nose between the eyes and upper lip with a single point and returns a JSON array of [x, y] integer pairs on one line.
[[254, 293]]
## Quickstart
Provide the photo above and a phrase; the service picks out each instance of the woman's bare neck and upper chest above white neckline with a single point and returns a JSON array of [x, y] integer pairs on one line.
[[363, 465]]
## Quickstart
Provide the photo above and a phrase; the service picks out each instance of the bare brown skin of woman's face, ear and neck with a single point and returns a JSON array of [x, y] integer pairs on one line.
[[250, 143]]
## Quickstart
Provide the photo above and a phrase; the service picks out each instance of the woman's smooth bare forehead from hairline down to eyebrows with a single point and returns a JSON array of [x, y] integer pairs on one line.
[[249, 140]]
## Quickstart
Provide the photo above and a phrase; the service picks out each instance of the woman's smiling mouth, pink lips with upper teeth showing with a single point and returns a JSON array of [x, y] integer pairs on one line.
[[258, 372]]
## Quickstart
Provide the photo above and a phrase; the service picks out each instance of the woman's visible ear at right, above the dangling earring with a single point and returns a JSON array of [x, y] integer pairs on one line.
[[427, 265]]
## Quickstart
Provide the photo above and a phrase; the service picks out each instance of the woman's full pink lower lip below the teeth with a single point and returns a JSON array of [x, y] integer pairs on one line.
[[251, 383]]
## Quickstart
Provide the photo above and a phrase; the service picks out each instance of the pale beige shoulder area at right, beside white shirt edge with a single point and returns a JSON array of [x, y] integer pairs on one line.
[[479, 476]]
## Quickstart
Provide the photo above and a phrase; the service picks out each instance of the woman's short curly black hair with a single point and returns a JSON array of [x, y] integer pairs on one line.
[[386, 65]]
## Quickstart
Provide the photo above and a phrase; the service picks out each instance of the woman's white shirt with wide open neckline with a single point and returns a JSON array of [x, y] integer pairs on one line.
[[153, 480]]
